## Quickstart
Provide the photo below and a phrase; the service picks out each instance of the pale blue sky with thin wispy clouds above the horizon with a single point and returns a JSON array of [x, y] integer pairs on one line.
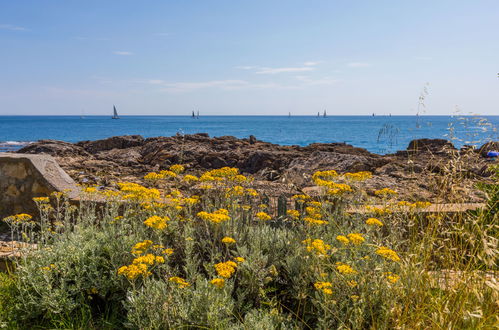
[[249, 57]]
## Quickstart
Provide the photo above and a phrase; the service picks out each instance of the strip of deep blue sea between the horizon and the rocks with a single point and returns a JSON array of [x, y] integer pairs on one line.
[[379, 134]]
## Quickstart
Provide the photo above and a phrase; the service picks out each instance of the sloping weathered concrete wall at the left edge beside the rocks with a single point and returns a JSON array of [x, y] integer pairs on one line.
[[24, 176]]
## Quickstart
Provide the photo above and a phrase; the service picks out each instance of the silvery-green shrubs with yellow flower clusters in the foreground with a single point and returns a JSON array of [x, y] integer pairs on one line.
[[208, 251]]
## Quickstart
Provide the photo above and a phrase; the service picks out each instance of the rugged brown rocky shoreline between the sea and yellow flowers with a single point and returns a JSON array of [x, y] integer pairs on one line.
[[431, 170]]
